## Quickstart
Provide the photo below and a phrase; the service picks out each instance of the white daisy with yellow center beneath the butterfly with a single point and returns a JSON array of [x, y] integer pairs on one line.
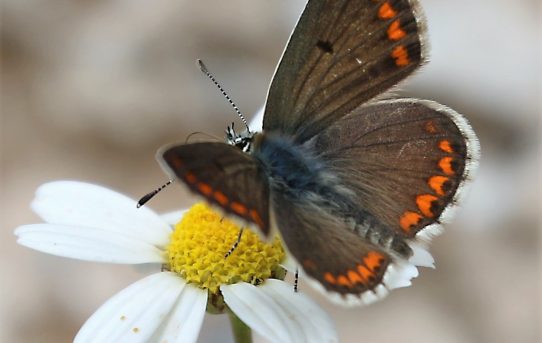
[[89, 222]]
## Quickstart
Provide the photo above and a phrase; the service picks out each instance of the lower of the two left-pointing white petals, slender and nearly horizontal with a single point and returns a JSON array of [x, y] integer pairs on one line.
[[87, 244]]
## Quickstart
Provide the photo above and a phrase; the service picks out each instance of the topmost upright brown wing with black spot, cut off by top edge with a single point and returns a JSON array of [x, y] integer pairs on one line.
[[341, 54]]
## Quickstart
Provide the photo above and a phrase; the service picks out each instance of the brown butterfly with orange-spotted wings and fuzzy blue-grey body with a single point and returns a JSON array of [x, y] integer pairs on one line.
[[353, 180]]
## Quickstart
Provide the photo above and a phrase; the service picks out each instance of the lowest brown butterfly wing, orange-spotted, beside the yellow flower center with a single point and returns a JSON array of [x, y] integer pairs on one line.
[[346, 267]]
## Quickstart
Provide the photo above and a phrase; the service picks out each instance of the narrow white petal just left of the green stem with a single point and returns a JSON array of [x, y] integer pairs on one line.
[[184, 322]]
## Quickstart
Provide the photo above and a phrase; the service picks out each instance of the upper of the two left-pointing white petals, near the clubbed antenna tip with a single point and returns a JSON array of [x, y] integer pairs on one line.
[[87, 205]]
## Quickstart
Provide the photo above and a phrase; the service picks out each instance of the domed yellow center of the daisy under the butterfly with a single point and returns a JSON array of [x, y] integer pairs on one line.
[[200, 242]]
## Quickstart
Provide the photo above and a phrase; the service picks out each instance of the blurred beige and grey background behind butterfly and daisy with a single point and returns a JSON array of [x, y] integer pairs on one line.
[[90, 90]]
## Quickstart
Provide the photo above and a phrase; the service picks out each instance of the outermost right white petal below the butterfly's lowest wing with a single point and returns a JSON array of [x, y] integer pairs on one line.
[[312, 320]]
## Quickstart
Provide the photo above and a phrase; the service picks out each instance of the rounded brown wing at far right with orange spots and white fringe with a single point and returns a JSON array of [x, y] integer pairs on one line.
[[406, 161]]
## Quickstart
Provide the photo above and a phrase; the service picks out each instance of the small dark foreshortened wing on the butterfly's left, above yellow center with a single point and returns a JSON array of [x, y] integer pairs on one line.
[[225, 176]]
